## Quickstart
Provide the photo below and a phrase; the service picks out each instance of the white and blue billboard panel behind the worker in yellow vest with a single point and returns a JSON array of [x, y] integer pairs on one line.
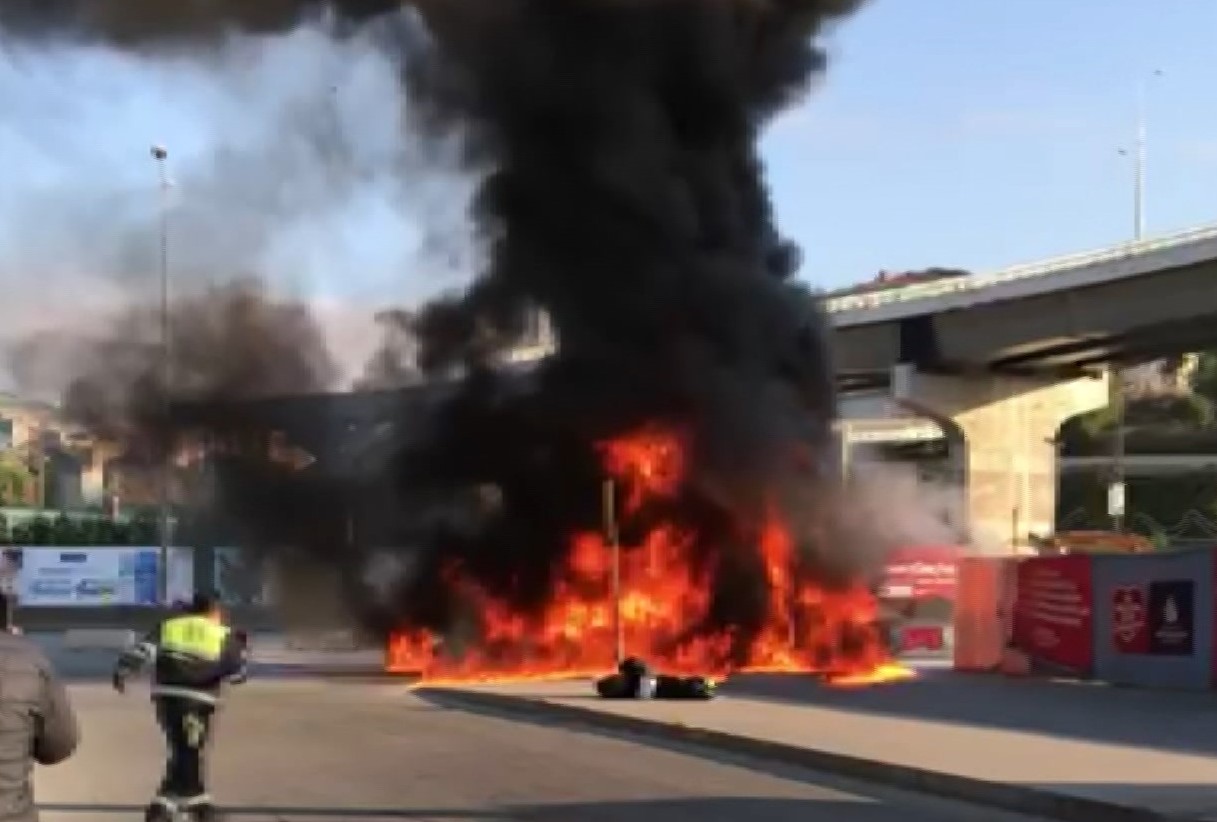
[[68, 577]]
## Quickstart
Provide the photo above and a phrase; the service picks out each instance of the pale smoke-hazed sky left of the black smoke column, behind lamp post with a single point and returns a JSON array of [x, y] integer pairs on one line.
[[291, 163]]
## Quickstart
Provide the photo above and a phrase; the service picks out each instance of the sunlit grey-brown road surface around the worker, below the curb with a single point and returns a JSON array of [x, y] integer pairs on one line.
[[315, 751]]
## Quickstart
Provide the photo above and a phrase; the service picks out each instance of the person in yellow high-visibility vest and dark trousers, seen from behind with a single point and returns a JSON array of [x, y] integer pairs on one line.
[[194, 655]]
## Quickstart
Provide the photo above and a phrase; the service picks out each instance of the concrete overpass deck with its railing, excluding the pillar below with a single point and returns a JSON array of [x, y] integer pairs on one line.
[[1130, 303]]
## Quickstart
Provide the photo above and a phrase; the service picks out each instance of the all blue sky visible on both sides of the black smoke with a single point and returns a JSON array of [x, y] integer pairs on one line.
[[966, 133]]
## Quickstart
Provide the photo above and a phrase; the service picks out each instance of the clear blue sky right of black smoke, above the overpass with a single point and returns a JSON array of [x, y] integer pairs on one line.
[[985, 133]]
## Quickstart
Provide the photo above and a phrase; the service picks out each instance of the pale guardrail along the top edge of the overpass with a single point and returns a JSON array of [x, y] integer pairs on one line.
[[1027, 271]]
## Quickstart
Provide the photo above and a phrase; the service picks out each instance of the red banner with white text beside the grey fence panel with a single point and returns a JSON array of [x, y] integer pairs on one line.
[[1055, 612]]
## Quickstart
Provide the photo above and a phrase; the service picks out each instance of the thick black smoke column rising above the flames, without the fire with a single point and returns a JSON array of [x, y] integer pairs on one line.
[[627, 199]]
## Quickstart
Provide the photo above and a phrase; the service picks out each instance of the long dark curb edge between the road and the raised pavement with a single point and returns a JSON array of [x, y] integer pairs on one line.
[[1020, 799]]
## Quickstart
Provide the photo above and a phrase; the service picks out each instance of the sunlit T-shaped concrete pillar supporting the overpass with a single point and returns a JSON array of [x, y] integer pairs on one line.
[[1008, 429]]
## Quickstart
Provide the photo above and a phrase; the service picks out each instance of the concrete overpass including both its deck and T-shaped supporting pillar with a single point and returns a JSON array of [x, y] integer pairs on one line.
[[1002, 360]]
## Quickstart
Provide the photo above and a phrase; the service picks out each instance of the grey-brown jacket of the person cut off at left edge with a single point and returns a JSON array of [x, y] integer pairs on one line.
[[37, 724]]
